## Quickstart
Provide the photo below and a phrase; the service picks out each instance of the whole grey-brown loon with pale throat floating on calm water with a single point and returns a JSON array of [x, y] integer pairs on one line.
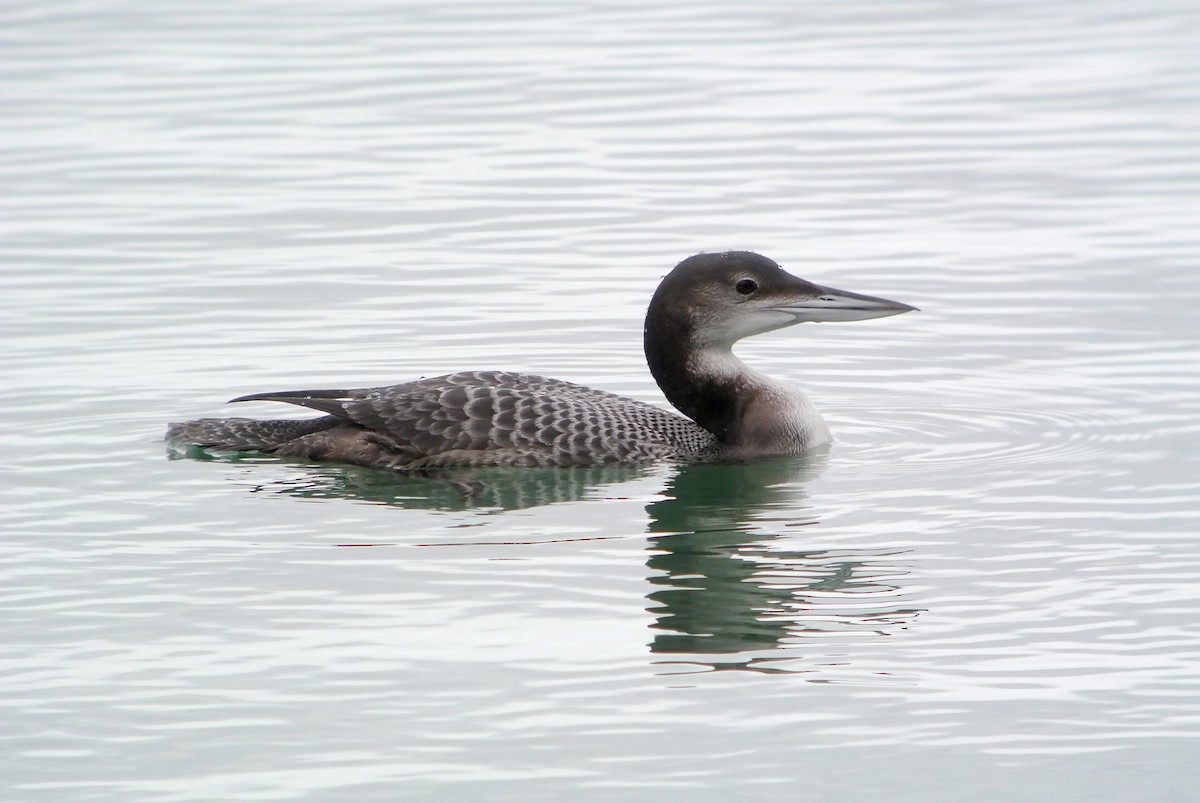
[[499, 418]]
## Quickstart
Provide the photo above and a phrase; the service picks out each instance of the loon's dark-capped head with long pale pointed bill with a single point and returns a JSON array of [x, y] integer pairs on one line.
[[716, 299]]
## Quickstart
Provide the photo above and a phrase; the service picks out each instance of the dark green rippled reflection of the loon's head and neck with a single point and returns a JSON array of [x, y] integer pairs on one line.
[[728, 583]]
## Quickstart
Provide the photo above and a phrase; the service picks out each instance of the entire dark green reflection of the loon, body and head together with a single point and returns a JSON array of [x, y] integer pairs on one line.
[[729, 582]]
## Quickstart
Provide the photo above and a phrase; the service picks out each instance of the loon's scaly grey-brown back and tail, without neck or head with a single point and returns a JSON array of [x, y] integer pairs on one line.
[[473, 418]]
